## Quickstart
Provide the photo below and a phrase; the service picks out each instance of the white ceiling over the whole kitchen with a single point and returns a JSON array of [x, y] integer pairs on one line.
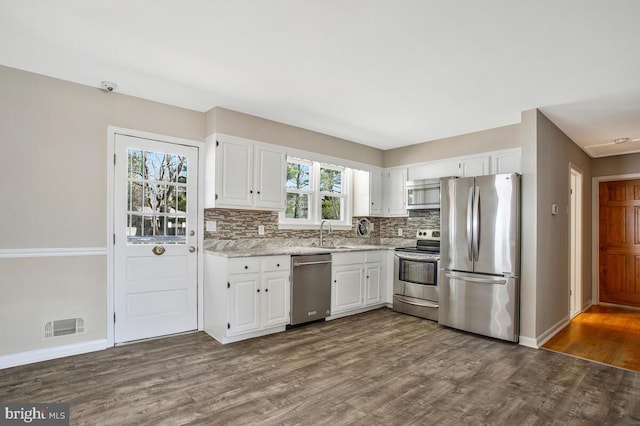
[[385, 73]]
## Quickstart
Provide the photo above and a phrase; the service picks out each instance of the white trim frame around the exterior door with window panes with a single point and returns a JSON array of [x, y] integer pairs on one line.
[[112, 131]]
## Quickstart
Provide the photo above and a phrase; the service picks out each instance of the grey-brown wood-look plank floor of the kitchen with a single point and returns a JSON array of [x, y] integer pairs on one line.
[[377, 368]]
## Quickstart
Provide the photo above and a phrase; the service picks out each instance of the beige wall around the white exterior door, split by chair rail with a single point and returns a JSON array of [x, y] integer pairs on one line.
[[53, 184]]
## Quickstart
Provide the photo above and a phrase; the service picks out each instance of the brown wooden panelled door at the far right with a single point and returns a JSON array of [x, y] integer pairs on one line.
[[620, 242]]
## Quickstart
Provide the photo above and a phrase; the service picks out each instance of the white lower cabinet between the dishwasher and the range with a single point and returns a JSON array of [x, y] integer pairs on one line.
[[358, 281]]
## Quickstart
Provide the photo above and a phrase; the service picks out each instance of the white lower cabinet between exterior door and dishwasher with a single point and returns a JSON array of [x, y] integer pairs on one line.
[[246, 297]]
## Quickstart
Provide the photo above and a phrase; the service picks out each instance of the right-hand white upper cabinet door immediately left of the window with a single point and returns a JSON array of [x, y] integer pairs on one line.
[[269, 186]]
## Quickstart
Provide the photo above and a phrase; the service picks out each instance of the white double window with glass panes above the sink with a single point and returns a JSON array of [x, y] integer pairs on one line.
[[315, 192]]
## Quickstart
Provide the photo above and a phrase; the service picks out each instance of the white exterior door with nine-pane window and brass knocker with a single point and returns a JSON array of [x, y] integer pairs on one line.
[[155, 238]]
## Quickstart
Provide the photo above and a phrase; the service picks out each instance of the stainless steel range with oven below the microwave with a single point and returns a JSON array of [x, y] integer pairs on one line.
[[415, 283]]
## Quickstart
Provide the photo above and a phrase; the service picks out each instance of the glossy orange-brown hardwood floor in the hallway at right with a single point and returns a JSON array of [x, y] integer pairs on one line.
[[608, 334]]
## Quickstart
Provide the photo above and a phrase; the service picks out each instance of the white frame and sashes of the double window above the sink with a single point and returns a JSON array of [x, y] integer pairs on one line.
[[315, 197]]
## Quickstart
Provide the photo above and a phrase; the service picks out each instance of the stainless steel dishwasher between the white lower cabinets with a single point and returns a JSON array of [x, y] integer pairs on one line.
[[310, 287]]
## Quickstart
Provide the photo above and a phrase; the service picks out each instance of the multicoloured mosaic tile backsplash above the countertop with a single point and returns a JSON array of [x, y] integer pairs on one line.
[[240, 228]]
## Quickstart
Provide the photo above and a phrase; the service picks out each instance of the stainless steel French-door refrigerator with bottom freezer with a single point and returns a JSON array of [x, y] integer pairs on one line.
[[480, 255]]
